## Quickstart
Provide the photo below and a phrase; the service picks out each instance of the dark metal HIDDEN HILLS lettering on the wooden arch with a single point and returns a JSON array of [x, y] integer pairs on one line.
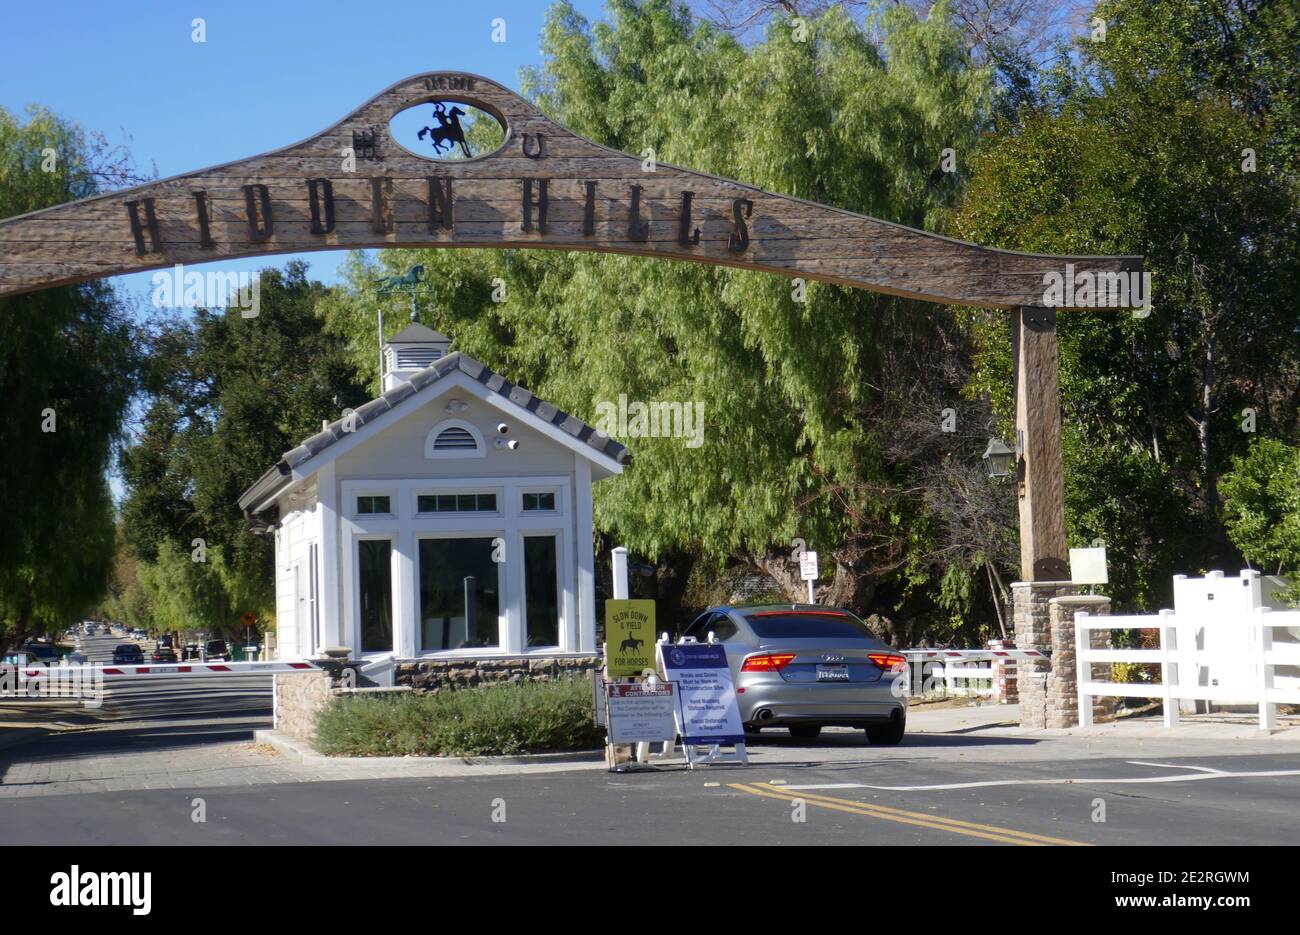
[[313, 210]]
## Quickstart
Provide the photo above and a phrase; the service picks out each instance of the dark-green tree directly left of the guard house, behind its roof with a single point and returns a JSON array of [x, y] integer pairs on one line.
[[228, 397]]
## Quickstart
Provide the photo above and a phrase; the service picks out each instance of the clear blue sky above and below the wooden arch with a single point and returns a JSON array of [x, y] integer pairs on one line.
[[270, 75]]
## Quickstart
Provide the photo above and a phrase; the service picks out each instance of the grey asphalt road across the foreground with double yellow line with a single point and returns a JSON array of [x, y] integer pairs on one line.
[[714, 807]]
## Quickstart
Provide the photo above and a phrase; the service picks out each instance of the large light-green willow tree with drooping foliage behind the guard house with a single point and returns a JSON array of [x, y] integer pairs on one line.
[[783, 371]]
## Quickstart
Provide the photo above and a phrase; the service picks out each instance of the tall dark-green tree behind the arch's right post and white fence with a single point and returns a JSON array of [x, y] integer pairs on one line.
[[1147, 154]]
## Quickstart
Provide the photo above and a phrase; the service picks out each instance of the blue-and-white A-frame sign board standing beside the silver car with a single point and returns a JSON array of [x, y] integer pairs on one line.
[[708, 716]]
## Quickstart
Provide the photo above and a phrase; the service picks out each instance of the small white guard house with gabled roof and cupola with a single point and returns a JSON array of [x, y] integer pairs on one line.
[[450, 518]]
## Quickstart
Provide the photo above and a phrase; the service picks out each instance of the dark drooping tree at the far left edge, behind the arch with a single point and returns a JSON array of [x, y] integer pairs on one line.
[[67, 375]]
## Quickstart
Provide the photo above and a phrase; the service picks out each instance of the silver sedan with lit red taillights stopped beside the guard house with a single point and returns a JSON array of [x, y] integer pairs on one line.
[[805, 668]]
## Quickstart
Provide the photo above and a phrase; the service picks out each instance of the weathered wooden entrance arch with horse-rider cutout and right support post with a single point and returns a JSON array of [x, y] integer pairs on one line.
[[356, 185]]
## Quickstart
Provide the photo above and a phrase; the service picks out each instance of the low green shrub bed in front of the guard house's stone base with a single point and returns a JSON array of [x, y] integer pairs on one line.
[[541, 717]]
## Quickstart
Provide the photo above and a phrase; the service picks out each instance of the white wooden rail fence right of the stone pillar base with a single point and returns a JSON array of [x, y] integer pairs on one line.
[[1253, 643]]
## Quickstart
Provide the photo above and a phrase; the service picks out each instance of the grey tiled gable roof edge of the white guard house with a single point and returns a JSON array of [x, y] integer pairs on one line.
[[281, 475]]
